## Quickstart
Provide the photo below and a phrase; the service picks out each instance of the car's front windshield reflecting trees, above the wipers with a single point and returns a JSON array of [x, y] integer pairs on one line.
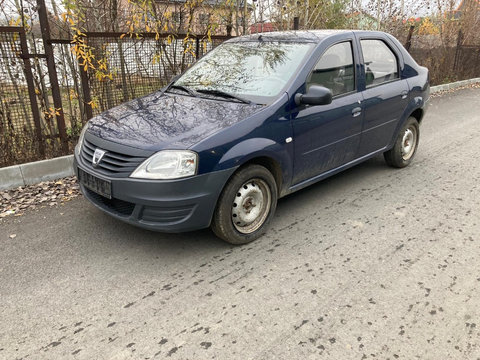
[[256, 71]]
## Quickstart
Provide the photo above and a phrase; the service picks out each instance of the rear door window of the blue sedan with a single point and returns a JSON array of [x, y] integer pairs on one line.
[[380, 62]]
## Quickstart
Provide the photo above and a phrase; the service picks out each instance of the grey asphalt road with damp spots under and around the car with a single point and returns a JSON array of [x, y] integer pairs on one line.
[[372, 263]]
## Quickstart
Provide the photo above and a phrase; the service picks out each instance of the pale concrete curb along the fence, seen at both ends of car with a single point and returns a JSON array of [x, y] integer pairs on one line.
[[53, 169]]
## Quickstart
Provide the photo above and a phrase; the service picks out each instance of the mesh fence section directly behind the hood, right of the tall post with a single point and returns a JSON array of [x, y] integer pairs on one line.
[[138, 65]]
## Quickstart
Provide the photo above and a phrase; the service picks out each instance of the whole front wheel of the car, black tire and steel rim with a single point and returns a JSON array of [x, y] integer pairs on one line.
[[246, 205]]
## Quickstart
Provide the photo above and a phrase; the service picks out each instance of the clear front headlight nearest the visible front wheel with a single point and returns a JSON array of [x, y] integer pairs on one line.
[[168, 164]]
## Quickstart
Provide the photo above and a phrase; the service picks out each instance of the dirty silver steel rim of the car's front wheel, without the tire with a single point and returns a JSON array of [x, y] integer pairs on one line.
[[251, 206]]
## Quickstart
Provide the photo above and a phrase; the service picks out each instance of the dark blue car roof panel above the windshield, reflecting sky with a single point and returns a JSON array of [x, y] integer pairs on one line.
[[298, 36]]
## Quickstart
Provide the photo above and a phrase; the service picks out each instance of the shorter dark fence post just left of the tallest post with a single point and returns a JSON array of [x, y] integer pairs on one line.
[[27, 70]]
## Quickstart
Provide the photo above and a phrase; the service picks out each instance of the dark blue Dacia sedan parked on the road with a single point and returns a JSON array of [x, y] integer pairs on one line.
[[255, 119]]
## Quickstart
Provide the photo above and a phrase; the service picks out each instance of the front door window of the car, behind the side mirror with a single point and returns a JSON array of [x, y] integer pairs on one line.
[[335, 70]]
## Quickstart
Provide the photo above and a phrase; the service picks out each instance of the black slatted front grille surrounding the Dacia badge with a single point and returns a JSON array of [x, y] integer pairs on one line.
[[113, 163]]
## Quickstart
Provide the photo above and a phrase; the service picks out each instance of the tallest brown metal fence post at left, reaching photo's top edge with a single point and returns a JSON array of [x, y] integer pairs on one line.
[[52, 73]]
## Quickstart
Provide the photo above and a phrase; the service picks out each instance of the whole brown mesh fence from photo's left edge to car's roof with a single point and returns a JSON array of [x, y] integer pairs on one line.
[[31, 119]]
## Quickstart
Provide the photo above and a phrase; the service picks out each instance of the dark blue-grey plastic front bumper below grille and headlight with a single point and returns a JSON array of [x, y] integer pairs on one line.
[[160, 205]]
